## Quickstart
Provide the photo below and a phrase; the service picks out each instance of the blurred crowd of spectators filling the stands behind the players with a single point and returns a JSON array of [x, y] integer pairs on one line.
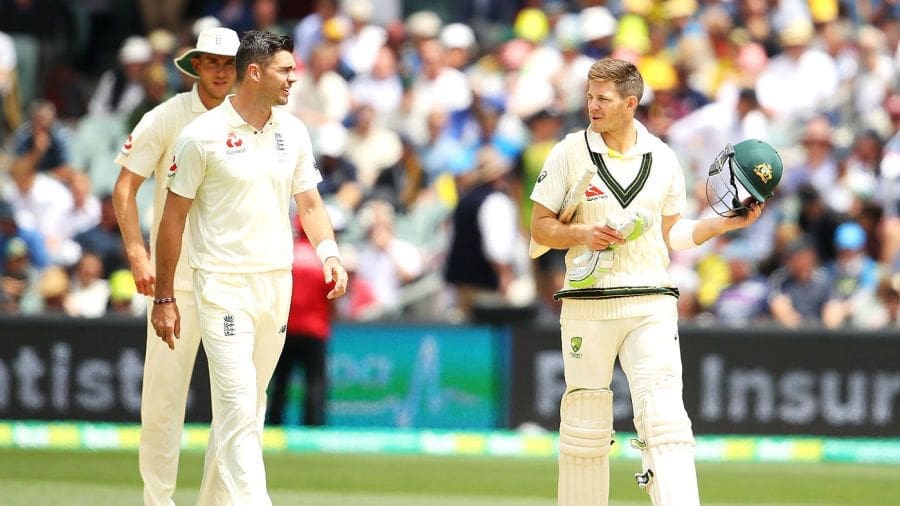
[[430, 123]]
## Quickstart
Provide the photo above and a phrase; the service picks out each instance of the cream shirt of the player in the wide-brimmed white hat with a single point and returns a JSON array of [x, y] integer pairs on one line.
[[149, 150]]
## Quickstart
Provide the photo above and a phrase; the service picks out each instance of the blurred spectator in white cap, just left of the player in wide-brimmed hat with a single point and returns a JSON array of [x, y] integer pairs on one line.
[[121, 88]]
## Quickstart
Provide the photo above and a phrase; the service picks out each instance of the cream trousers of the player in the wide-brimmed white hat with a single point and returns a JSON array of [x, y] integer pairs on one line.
[[167, 376]]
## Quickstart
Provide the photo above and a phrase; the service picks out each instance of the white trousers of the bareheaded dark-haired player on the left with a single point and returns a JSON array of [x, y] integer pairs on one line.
[[243, 319]]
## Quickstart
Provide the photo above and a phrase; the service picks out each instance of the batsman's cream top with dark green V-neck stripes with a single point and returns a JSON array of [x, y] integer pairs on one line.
[[648, 176]]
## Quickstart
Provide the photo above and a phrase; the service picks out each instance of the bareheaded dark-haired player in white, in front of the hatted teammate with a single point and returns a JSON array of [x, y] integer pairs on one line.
[[236, 169]]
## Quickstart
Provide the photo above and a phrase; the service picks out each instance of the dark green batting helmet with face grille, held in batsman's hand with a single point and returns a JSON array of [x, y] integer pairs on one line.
[[742, 174]]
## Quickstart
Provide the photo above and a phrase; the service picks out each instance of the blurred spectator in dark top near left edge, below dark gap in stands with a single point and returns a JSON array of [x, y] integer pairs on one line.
[[43, 144]]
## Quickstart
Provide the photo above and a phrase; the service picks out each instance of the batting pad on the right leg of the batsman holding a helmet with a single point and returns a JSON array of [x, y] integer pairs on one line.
[[667, 447]]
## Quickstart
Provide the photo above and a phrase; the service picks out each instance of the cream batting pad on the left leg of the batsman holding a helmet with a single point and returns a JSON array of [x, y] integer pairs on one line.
[[585, 436]]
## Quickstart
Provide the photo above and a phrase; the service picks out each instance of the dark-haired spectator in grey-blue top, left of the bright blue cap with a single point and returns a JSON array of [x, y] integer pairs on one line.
[[799, 290]]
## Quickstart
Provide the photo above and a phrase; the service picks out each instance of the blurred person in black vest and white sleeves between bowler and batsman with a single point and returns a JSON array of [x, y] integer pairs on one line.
[[480, 262]]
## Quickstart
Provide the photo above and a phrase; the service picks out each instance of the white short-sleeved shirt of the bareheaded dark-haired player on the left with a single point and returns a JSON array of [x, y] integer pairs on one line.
[[242, 182]]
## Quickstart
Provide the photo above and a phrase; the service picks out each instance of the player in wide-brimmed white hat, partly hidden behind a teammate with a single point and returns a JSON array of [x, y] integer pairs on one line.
[[149, 151]]
